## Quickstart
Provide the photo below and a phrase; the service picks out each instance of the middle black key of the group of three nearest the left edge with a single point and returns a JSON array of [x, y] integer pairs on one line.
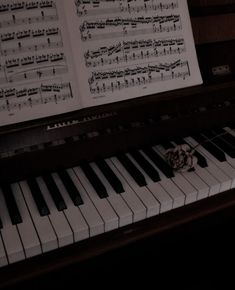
[[54, 192]]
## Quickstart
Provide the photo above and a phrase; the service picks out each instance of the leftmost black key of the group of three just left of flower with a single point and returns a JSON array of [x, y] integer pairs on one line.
[[132, 169]]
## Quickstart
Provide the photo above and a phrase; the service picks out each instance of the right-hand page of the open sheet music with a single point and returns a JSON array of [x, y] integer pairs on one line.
[[130, 48]]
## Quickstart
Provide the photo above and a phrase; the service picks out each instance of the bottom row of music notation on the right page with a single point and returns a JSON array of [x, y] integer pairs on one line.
[[141, 75]]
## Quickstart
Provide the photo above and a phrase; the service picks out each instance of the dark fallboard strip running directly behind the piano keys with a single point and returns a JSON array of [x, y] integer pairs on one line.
[[67, 155]]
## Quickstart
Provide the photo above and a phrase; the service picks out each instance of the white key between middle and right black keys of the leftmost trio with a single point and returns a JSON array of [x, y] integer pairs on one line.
[[73, 214]]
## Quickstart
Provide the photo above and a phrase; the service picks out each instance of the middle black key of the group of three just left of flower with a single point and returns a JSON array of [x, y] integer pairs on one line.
[[145, 165]]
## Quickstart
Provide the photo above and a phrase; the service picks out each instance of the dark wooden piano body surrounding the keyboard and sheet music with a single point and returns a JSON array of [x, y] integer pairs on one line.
[[34, 147]]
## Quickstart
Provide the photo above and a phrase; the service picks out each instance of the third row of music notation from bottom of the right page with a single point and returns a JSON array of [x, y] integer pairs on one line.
[[124, 27]]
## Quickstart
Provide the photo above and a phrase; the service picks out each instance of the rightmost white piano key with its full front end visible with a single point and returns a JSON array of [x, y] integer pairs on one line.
[[225, 181]]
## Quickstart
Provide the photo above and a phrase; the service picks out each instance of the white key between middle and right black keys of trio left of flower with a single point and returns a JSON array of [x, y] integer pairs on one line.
[[169, 186]]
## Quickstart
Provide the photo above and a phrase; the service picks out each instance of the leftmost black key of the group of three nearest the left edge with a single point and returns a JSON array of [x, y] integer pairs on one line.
[[38, 197]]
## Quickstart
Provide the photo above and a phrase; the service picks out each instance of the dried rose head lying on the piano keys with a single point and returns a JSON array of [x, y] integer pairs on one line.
[[181, 158]]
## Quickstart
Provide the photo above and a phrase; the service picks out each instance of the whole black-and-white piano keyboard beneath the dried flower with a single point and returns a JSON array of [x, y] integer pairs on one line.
[[56, 209]]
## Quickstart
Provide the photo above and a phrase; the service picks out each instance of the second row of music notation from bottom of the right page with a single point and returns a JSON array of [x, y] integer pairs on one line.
[[127, 51]]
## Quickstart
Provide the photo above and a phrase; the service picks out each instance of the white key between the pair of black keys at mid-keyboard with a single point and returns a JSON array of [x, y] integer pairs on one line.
[[124, 213]]
